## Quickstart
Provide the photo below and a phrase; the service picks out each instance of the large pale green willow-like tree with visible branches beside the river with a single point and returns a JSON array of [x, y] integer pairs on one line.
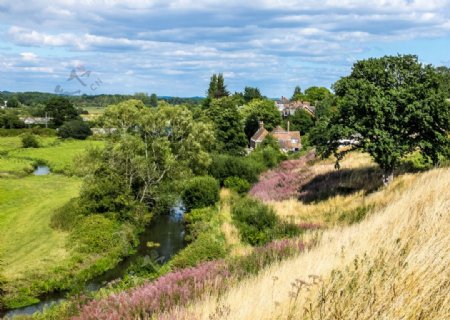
[[146, 149]]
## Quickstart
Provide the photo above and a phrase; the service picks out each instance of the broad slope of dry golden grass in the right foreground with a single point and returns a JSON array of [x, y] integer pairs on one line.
[[392, 265]]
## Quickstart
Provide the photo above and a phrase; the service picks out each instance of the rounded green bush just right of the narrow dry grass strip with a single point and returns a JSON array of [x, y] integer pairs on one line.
[[255, 220]]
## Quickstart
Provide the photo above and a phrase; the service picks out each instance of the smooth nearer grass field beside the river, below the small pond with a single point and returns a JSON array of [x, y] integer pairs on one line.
[[27, 243]]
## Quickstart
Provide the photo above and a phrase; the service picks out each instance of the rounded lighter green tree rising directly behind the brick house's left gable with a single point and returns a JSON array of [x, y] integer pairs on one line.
[[259, 110]]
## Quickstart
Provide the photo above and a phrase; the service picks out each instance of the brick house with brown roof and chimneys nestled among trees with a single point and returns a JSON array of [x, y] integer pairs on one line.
[[287, 140]]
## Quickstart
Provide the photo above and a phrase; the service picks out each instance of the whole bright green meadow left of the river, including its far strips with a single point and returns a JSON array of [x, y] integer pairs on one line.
[[29, 246]]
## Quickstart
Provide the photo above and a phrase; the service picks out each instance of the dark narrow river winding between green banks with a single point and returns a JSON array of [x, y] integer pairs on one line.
[[166, 230]]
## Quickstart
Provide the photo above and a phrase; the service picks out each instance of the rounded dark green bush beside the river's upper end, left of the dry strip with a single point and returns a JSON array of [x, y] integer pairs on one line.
[[200, 192]]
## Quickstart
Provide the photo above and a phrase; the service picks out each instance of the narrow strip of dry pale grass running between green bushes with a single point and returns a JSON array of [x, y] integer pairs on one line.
[[229, 230]]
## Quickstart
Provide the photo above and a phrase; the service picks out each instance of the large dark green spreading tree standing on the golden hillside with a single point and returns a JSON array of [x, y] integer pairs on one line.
[[391, 106]]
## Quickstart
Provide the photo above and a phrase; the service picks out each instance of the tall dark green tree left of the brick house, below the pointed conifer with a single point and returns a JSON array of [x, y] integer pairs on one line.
[[227, 123]]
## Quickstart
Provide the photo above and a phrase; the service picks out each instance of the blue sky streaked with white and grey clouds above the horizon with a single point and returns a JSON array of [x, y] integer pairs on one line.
[[173, 47]]
